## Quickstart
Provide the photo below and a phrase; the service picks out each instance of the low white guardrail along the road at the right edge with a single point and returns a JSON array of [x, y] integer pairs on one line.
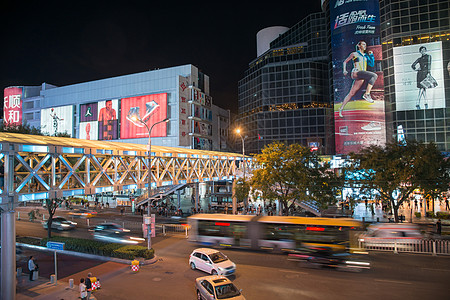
[[425, 246]]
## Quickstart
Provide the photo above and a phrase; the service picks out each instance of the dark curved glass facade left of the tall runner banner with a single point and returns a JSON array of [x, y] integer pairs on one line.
[[284, 94]]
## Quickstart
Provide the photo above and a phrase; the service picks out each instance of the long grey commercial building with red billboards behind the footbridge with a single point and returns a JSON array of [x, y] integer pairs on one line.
[[121, 108]]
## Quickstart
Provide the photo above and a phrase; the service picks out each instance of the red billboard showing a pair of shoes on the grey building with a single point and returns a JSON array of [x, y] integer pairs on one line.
[[149, 109]]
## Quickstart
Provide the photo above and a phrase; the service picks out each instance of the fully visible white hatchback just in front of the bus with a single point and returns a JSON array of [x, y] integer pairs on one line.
[[211, 261]]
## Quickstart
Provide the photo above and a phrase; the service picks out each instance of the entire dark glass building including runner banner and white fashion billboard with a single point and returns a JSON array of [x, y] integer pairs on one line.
[[304, 86]]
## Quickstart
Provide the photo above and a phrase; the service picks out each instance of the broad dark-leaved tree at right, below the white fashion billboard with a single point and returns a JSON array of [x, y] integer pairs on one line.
[[392, 172]]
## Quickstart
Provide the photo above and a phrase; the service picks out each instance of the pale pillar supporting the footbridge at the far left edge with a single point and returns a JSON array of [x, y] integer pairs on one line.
[[8, 268]]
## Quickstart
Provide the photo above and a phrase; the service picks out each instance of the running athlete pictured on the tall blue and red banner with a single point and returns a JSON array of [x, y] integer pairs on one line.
[[359, 74]]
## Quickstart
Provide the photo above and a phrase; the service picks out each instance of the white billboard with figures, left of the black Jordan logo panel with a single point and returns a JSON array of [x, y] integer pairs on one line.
[[57, 120]]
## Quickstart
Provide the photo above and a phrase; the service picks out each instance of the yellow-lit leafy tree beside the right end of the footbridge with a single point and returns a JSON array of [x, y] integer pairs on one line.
[[292, 173]]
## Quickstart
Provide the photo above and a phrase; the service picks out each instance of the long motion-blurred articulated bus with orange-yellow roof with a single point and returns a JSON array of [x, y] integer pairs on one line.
[[276, 233]]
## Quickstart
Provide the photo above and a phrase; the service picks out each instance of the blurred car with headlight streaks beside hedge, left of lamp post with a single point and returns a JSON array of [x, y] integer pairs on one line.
[[114, 233]]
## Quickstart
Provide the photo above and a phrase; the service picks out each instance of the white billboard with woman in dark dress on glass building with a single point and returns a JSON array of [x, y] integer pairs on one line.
[[419, 76]]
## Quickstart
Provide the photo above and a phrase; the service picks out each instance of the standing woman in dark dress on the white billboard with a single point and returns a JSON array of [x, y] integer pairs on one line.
[[424, 79]]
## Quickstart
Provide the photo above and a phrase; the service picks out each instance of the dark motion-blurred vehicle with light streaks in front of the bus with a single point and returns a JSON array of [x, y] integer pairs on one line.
[[325, 257]]
